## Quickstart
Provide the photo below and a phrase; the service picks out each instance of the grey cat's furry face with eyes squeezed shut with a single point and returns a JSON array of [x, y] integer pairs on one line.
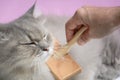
[[24, 39]]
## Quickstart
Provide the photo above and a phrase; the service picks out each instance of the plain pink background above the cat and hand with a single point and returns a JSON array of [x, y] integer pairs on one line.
[[12, 9]]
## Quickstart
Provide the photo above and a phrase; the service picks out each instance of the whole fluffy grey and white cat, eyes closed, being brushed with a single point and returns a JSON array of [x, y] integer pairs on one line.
[[25, 45]]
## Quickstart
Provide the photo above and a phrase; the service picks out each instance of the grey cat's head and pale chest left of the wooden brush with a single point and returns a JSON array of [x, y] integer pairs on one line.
[[25, 45]]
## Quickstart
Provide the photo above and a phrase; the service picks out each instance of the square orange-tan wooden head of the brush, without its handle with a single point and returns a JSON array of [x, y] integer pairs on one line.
[[63, 68]]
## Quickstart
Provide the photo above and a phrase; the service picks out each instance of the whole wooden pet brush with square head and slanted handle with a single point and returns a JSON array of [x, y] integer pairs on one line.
[[66, 67]]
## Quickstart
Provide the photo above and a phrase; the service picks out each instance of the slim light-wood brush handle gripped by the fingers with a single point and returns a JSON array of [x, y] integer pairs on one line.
[[75, 38]]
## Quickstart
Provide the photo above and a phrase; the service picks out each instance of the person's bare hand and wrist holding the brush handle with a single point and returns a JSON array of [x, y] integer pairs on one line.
[[100, 21]]
